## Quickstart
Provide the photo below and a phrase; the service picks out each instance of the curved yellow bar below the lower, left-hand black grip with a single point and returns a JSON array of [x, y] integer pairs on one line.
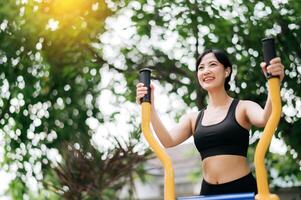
[[169, 189]]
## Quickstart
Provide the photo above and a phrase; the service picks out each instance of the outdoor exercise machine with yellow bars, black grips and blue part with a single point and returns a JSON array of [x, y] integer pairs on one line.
[[261, 149]]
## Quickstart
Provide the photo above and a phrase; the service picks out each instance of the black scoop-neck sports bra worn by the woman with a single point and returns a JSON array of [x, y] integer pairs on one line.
[[225, 137]]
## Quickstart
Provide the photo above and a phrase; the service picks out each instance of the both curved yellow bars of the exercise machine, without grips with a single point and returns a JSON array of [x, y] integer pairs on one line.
[[262, 147]]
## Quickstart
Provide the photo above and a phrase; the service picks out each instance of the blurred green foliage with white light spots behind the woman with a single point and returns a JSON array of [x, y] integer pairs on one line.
[[68, 71]]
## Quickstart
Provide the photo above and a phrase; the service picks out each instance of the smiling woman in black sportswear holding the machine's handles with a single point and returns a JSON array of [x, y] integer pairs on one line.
[[220, 130]]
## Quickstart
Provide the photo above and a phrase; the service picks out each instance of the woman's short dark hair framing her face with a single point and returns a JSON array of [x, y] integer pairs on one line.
[[222, 57]]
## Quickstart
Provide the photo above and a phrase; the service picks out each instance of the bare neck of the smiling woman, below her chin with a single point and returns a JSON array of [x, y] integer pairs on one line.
[[218, 98]]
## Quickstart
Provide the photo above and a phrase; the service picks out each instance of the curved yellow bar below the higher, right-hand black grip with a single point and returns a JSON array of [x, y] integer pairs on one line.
[[264, 142]]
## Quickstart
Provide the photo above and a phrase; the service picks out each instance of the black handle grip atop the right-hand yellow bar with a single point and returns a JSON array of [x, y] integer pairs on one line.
[[269, 52]]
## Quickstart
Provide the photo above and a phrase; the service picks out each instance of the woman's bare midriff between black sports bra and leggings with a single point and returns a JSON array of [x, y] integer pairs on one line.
[[224, 168]]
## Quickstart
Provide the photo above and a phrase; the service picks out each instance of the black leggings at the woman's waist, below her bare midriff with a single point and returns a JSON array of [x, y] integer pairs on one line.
[[242, 185]]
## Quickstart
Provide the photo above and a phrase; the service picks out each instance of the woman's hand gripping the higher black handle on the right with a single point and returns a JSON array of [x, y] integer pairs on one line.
[[275, 68]]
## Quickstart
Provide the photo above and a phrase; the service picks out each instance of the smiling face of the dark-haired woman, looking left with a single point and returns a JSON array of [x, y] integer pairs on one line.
[[211, 73]]
